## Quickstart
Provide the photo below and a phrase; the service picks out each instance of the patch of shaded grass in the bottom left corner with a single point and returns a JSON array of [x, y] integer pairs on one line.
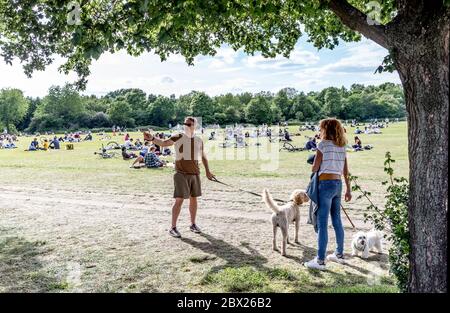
[[21, 269]]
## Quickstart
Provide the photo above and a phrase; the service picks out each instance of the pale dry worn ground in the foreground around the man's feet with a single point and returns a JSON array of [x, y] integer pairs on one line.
[[118, 241]]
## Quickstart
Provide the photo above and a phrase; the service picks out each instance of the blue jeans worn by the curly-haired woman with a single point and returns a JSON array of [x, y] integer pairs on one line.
[[329, 204]]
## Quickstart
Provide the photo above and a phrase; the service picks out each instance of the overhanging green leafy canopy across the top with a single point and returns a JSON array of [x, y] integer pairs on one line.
[[34, 31]]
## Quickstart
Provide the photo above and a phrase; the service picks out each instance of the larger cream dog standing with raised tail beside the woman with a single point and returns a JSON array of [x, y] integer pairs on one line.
[[284, 215]]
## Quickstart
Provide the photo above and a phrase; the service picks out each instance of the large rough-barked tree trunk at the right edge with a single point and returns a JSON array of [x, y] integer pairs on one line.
[[421, 56]]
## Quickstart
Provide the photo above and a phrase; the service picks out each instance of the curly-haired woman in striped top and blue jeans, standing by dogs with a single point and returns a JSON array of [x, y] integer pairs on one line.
[[330, 163]]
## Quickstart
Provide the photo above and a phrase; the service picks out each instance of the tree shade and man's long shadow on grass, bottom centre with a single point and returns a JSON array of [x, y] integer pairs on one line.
[[247, 271]]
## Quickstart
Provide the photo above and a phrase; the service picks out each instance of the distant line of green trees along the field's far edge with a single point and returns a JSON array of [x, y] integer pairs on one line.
[[63, 108]]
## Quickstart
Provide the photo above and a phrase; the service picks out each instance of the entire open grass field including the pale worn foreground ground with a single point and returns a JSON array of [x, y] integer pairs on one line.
[[66, 212]]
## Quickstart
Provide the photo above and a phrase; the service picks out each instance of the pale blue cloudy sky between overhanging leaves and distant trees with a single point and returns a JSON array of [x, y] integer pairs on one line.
[[307, 69]]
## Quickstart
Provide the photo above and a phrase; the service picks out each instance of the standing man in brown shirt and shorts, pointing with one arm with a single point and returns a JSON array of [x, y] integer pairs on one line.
[[188, 151]]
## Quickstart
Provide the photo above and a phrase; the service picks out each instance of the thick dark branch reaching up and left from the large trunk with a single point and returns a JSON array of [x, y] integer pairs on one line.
[[357, 21]]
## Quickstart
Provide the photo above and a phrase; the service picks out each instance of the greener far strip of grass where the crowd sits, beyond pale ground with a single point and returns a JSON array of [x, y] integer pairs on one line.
[[80, 166]]
